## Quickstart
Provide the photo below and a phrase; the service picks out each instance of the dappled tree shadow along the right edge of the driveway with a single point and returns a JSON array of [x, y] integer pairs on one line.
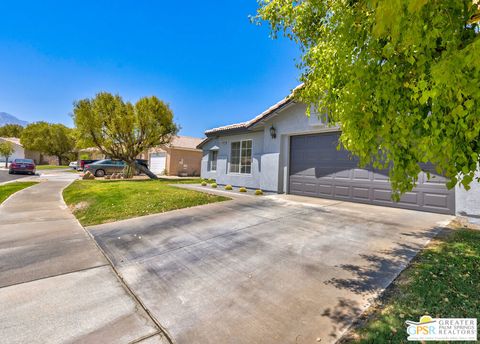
[[372, 276]]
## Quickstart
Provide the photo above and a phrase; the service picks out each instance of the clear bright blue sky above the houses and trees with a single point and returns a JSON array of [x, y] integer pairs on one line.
[[204, 58]]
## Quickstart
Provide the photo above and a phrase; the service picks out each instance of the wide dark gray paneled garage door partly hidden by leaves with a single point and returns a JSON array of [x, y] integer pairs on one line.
[[318, 169]]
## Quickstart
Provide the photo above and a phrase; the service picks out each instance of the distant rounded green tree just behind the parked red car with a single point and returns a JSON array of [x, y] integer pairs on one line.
[[50, 139]]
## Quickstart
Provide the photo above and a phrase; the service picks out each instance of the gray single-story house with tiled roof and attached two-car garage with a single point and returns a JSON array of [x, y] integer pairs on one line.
[[284, 151]]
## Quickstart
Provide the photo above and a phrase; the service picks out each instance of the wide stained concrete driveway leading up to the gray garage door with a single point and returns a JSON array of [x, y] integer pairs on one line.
[[276, 269]]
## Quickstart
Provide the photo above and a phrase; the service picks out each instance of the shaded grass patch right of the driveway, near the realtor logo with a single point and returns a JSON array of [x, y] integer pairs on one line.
[[443, 281]]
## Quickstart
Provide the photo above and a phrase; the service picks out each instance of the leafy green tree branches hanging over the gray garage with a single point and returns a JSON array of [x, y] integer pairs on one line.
[[401, 78]]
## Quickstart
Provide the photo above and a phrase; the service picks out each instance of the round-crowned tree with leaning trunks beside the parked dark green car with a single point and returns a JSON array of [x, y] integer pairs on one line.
[[123, 130]]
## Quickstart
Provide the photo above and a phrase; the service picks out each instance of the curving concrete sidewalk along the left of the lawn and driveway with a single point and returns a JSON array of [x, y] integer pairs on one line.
[[55, 284]]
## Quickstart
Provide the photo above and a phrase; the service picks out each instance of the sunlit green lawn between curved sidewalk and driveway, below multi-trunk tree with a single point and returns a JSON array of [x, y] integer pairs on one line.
[[100, 201]]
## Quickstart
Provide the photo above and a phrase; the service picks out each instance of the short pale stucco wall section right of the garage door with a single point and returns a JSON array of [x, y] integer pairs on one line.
[[467, 203]]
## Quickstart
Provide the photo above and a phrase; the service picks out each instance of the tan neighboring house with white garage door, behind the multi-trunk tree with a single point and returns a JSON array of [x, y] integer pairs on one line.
[[181, 157]]
